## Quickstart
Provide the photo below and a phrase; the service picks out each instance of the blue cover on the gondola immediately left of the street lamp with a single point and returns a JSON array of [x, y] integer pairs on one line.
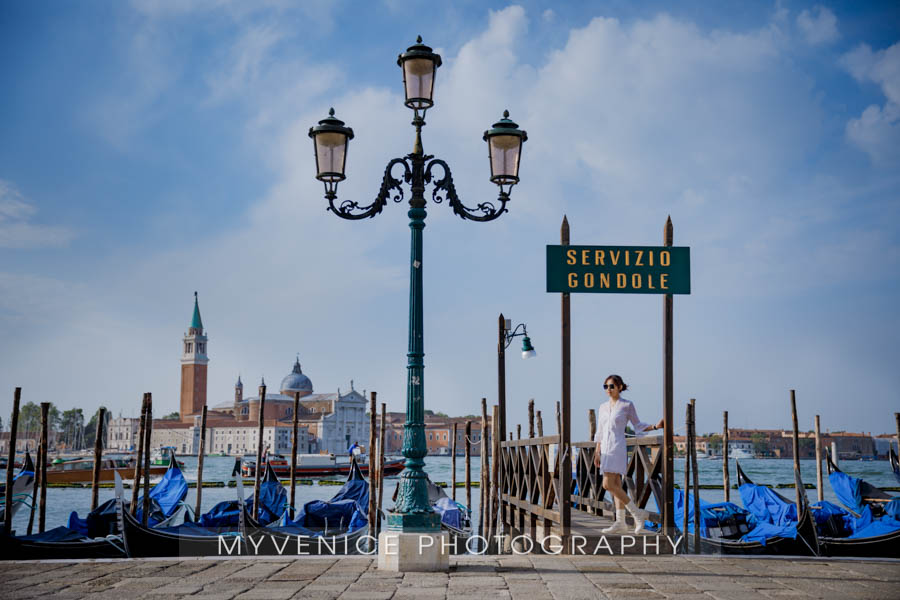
[[346, 511]]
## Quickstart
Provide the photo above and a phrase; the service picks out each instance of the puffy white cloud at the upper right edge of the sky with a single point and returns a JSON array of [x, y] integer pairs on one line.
[[877, 129]]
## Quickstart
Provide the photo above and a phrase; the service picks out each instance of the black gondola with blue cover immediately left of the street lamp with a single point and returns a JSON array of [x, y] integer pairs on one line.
[[321, 527]]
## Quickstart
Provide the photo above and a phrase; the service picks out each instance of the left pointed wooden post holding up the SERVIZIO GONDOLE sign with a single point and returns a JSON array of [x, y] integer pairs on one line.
[[565, 439]]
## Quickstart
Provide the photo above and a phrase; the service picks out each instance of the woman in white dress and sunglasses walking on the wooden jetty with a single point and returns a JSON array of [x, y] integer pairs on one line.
[[611, 451]]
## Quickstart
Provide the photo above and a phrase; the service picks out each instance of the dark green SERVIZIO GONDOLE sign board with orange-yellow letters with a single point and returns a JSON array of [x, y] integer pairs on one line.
[[619, 269]]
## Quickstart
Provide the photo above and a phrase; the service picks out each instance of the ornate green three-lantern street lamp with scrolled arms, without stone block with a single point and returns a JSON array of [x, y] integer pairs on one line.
[[417, 169]]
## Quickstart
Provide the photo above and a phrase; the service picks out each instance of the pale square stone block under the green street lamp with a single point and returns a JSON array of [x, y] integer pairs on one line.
[[413, 552]]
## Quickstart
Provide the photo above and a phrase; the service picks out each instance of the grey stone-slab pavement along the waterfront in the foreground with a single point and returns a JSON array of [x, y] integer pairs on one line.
[[525, 577]]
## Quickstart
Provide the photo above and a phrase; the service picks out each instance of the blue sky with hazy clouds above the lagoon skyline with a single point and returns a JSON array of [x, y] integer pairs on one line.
[[151, 149]]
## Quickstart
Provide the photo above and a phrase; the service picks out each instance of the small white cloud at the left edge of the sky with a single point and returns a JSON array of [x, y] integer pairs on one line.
[[16, 228]]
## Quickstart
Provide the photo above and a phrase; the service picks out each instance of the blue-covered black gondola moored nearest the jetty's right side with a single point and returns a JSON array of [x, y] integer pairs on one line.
[[775, 520]]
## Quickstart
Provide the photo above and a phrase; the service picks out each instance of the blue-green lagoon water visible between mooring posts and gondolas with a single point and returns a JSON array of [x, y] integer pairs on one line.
[[62, 501]]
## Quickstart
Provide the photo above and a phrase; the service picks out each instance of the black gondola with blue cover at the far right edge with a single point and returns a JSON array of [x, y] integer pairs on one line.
[[871, 525]]
